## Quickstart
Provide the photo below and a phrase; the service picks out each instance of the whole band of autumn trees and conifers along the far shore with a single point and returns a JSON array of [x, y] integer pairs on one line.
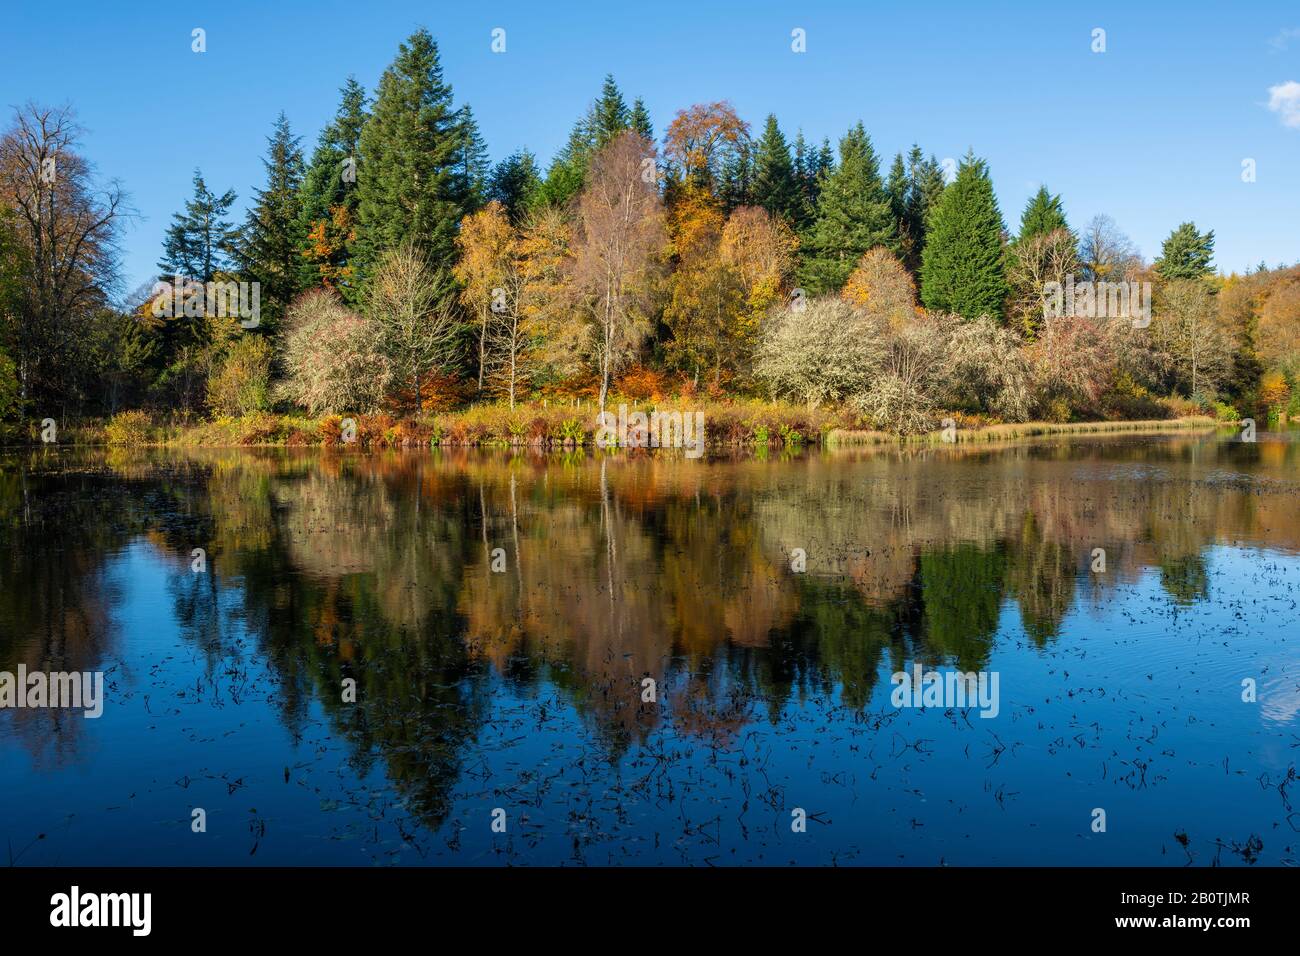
[[398, 271]]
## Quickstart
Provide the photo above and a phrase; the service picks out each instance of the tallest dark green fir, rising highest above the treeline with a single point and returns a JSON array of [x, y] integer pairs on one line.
[[413, 148]]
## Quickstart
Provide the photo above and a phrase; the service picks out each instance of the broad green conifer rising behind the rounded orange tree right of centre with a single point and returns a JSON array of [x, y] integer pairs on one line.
[[852, 217]]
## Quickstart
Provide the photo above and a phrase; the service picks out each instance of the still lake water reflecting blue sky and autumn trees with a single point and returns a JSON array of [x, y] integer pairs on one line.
[[500, 616]]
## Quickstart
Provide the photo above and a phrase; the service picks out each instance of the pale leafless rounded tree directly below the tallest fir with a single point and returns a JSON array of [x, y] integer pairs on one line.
[[417, 323]]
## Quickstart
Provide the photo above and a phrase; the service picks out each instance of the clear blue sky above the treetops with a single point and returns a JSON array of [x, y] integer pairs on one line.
[[1152, 132]]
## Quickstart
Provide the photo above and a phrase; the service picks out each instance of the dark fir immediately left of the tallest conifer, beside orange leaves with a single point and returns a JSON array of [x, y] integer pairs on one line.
[[330, 197]]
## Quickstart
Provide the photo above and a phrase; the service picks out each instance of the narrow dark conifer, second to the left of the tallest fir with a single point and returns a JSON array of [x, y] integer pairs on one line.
[[272, 241]]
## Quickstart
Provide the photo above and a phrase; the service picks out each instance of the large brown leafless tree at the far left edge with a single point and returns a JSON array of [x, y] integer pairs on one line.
[[68, 232]]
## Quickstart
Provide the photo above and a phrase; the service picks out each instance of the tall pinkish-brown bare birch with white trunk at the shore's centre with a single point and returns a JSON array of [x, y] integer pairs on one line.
[[618, 249]]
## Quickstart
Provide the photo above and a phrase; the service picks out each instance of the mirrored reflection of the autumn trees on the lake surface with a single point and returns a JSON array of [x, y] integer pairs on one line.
[[479, 600]]
